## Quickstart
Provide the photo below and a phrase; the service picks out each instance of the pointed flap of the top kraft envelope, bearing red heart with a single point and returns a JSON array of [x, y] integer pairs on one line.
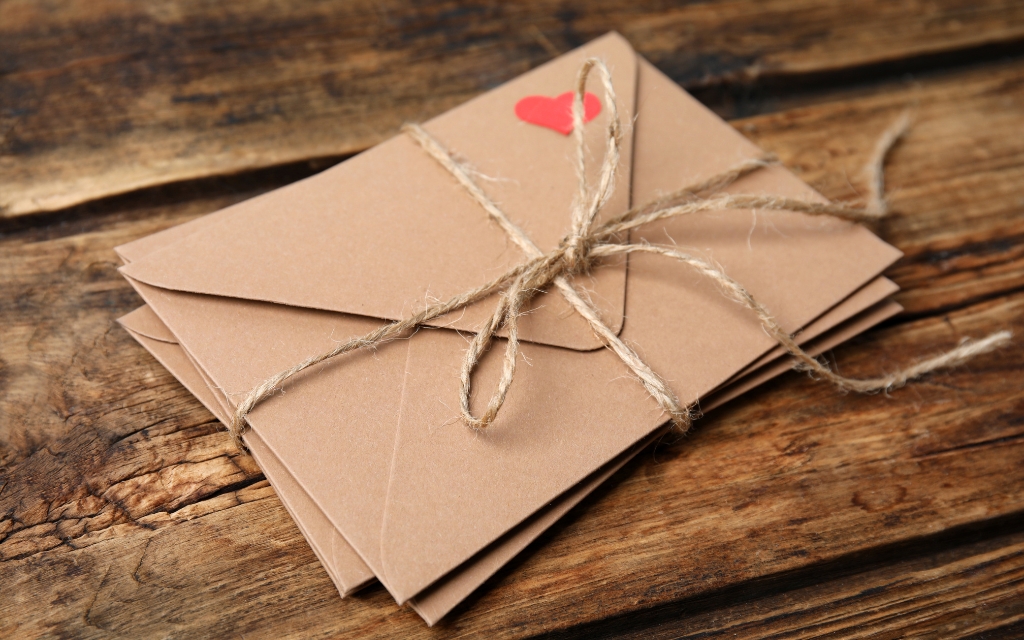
[[390, 232]]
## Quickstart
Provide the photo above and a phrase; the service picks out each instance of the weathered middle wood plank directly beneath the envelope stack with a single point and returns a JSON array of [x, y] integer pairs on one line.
[[124, 511]]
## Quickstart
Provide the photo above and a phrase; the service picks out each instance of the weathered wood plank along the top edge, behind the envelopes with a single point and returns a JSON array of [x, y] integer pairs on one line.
[[103, 98]]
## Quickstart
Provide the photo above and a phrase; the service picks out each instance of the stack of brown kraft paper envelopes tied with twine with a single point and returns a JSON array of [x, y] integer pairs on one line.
[[367, 452]]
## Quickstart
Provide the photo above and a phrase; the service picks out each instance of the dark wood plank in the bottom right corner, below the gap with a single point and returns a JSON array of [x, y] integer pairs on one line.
[[966, 591]]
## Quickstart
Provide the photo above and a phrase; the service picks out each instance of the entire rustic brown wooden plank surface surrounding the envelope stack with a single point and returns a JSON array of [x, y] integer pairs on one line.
[[792, 513]]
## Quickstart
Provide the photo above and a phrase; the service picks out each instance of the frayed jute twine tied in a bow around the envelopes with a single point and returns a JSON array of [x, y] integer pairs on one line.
[[588, 243]]
